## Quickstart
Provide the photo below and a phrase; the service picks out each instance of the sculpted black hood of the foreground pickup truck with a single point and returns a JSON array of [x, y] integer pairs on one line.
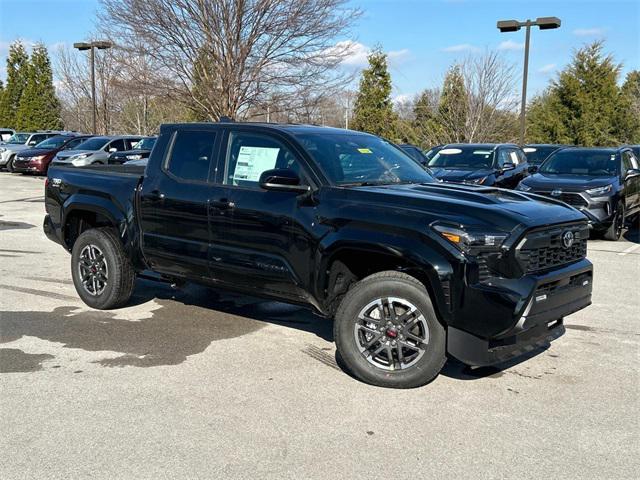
[[468, 204]]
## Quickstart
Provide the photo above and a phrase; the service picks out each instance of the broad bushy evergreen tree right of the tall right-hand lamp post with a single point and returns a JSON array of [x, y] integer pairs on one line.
[[584, 106]]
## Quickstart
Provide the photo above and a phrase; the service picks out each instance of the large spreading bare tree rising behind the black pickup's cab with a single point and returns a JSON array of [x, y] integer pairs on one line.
[[227, 57]]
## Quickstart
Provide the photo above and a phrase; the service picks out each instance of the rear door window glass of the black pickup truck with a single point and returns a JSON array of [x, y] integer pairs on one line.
[[191, 155]]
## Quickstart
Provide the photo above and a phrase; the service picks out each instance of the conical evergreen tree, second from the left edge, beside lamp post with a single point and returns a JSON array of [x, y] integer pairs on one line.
[[39, 108]]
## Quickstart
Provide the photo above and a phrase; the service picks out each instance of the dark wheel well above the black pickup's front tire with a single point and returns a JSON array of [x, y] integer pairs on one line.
[[350, 266]]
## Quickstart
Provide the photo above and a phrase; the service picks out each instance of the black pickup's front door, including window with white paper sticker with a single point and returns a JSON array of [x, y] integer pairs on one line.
[[253, 231]]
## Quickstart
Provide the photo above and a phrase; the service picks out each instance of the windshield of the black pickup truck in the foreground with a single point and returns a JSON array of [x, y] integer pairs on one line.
[[358, 159]]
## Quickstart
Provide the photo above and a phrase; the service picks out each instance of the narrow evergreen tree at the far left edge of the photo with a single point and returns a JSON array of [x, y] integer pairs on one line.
[[17, 64]]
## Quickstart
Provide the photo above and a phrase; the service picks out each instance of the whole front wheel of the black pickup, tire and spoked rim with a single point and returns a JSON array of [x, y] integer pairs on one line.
[[387, 333]]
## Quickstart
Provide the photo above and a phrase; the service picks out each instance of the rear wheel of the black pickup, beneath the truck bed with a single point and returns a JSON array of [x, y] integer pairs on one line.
[[120, 275]]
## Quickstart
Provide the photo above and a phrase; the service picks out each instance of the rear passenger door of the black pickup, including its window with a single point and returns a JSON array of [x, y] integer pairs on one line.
[[174, 205]]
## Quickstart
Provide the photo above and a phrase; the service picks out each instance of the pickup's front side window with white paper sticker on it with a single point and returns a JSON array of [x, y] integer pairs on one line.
[[250, 154]]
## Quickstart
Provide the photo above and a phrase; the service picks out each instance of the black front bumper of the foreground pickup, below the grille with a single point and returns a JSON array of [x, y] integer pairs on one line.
[[554, 296]]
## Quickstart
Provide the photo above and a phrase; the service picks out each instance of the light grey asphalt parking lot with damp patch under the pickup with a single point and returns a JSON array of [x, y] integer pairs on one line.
[[199, 383]]
